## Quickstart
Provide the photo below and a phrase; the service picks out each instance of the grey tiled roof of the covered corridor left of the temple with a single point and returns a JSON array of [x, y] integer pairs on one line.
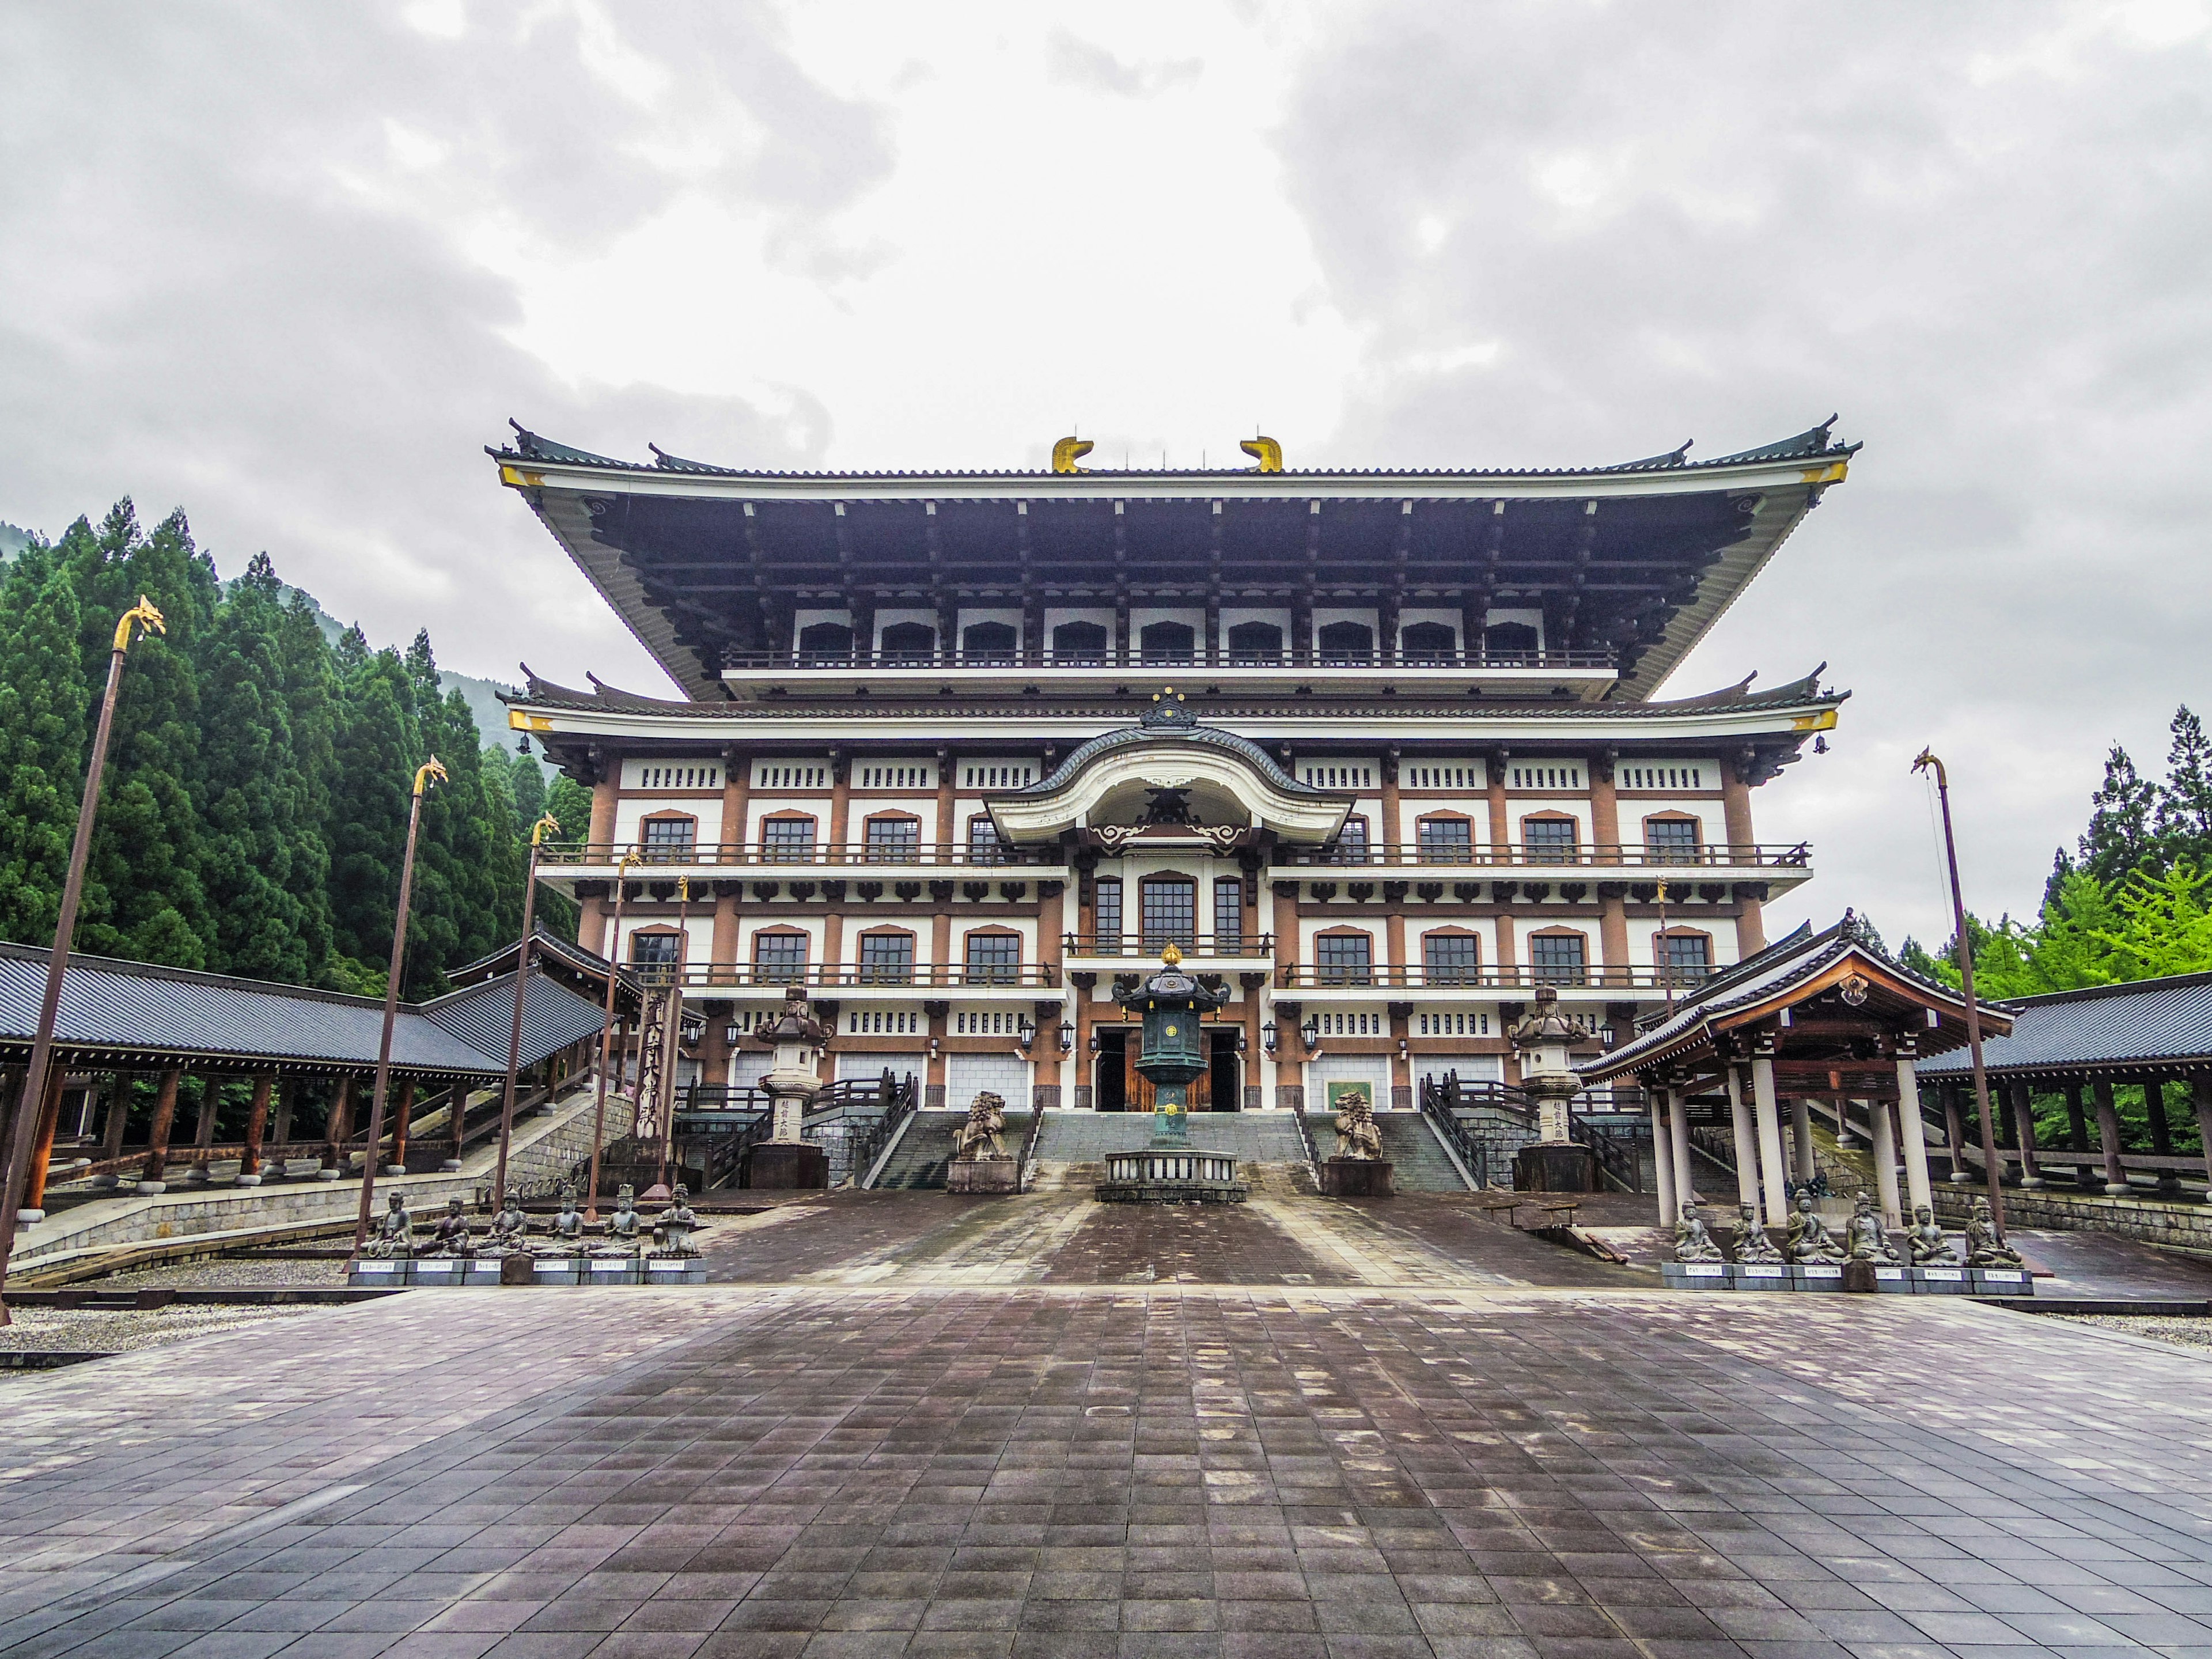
[[176, 1014]]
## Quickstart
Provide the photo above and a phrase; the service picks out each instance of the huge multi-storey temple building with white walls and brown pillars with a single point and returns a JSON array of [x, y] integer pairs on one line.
[[1384, 751]]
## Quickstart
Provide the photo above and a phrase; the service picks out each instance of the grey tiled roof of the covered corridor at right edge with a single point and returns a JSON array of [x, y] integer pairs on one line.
[[2100, 1027]]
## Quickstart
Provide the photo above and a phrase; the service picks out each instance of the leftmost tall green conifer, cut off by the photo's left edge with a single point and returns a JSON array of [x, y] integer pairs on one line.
[[43, 735]]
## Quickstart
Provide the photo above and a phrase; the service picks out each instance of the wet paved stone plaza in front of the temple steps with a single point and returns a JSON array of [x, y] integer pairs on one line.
[[1149, 1434]]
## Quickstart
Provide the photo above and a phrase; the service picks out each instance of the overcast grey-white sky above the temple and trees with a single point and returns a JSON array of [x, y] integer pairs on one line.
[[293, 267]]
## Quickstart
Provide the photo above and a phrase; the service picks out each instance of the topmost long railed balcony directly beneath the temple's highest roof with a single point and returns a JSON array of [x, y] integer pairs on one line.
[[1538, 674]]
